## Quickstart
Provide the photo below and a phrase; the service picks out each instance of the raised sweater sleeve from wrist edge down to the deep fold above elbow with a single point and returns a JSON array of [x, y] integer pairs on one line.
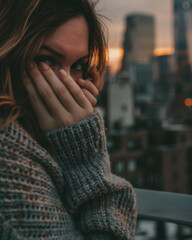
[[81, 152]]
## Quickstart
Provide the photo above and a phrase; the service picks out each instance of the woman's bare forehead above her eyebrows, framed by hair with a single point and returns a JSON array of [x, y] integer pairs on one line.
[[69, 36]]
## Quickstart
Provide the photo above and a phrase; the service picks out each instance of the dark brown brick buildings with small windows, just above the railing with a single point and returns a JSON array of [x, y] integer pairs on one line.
[[158, 158]]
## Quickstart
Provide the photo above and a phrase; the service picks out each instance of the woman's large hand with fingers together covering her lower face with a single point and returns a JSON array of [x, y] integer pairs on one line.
[[57, 101]]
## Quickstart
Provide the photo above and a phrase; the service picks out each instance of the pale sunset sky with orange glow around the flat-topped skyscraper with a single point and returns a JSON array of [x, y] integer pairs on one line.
[[117, 10]]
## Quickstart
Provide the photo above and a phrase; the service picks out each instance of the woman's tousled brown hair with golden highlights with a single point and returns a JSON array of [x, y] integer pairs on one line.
[[24, 25]]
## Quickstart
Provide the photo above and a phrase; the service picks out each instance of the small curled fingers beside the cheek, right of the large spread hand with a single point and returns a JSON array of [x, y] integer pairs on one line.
[[90, 86]]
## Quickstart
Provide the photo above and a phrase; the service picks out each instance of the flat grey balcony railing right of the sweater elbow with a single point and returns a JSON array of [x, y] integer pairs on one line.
[[165, 206]]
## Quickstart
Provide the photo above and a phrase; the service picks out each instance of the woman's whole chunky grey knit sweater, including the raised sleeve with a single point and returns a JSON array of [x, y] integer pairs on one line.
[[69, 196]]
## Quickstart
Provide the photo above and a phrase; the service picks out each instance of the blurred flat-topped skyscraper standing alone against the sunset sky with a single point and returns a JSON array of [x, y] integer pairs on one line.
[[139, 40]]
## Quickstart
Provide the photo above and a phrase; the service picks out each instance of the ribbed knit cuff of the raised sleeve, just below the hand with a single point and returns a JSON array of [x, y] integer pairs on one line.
[[78, 141]]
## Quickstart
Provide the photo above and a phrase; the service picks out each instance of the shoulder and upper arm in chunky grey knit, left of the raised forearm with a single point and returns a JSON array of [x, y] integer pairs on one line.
[[30, 201]]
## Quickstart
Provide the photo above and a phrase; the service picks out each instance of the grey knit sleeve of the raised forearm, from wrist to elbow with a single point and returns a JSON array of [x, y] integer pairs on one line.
[[103, 205]]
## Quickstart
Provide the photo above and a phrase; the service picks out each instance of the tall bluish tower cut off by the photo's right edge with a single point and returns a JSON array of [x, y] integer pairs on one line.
[[183, 38]]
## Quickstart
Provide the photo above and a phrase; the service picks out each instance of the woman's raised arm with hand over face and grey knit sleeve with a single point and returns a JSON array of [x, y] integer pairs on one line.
[[101, 203]]
